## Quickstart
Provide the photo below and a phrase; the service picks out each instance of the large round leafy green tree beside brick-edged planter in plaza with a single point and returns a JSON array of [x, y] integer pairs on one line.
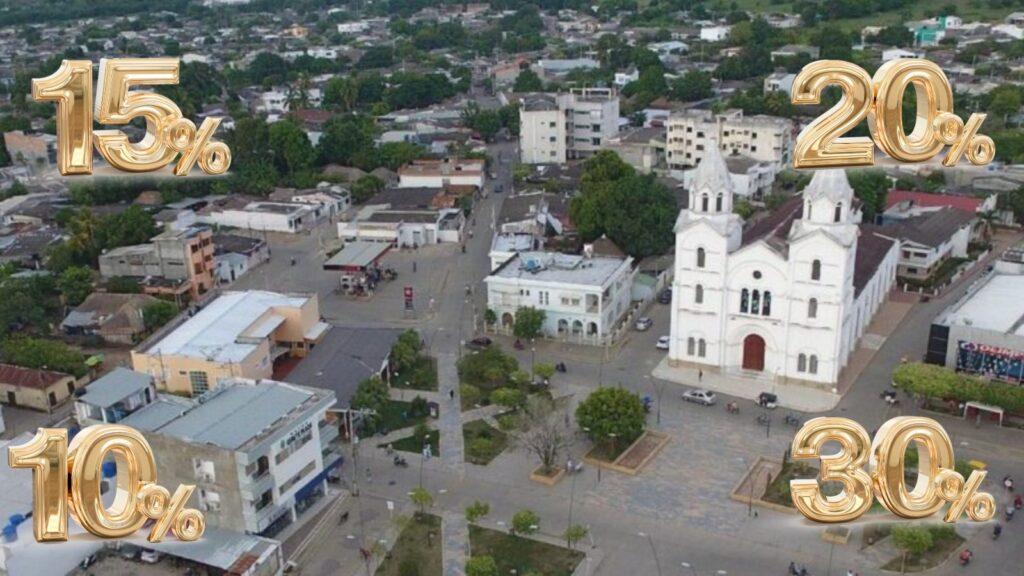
[[612, 416]]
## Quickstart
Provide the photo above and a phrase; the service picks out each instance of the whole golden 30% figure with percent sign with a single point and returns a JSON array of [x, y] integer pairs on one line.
[[875, 470]]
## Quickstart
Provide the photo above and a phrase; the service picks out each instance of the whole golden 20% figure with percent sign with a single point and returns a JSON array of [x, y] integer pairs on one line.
[[880, 100]]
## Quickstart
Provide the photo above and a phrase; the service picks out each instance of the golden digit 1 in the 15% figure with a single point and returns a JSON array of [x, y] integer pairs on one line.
[[71, 88]]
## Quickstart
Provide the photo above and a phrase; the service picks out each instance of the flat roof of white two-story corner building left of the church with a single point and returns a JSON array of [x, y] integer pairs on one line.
[[561, 269]]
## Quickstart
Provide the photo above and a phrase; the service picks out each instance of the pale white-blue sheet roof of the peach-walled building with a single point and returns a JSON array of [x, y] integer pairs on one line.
[[215, 333]]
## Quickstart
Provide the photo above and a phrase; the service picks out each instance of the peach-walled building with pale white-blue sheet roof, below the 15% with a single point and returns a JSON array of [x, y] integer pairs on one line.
[[239, 335]]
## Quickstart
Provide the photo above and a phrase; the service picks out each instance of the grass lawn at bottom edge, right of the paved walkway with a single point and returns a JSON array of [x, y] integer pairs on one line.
[[523, 555]]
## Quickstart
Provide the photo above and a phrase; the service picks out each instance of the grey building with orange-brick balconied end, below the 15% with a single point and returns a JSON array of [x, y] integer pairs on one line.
[[175, 263]]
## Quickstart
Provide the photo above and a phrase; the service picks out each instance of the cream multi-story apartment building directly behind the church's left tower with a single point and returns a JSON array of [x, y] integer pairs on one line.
[[766, 139]]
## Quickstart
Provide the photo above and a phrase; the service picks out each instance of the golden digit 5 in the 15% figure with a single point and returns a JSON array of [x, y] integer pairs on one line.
[[119, 106]]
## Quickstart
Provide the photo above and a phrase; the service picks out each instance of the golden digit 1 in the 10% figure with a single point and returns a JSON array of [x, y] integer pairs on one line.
[[47, 455]]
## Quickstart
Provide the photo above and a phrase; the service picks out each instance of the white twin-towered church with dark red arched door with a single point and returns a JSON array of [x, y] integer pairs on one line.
[[785, 300]]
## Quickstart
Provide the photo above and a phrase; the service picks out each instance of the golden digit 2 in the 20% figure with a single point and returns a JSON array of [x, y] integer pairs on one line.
[[820, 144]]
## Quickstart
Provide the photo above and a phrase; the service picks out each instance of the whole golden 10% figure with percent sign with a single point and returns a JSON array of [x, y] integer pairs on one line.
[[137, 501]]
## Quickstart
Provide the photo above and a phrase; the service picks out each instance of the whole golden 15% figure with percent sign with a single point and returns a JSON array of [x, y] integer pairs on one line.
[[168, 136]]
